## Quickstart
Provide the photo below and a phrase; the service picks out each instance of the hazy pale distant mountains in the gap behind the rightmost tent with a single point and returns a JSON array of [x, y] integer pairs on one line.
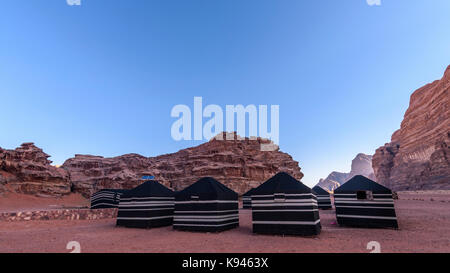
[[361, 165]]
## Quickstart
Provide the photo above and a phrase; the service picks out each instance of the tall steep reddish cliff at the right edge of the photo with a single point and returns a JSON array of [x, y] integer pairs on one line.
[[417, 158]]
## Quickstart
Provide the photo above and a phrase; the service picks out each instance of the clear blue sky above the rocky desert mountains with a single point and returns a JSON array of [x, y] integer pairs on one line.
[[102, 78]]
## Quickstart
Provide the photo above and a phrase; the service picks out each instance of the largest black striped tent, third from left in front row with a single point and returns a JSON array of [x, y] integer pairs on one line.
[[284, 205]]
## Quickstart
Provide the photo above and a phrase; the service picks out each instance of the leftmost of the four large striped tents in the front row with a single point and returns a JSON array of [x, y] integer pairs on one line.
[[148, 205]]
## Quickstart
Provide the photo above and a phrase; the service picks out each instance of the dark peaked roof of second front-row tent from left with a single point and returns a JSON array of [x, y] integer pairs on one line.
[[207, 188]]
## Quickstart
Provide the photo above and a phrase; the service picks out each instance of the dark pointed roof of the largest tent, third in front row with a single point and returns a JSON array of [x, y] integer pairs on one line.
[[281, 183]]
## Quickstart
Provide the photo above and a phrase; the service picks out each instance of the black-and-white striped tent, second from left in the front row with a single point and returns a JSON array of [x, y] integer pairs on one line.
[[207, 205]]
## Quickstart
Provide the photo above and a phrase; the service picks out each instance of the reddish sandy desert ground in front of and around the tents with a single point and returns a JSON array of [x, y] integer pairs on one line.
[[424, 219]]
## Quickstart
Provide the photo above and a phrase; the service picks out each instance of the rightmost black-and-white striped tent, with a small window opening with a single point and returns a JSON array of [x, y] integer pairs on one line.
[[364, 203]]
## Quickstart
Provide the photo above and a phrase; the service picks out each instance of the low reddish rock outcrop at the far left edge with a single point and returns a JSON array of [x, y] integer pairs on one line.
[[28, 170]]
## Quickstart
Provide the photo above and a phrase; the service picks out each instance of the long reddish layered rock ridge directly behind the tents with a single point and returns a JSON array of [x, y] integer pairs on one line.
[[239, 164]]
